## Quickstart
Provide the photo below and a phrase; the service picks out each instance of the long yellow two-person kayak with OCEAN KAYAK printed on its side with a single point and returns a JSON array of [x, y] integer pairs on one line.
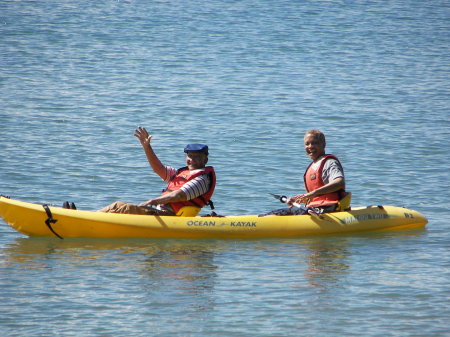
[[49, 221]]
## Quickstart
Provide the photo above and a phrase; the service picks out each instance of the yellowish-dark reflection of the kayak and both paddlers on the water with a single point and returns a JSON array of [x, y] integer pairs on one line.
[[191, 265]]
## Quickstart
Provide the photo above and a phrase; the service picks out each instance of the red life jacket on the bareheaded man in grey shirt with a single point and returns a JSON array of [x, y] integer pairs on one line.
[[313, 180]]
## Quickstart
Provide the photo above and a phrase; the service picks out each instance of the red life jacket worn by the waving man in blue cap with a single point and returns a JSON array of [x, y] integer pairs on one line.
[[184, 175]]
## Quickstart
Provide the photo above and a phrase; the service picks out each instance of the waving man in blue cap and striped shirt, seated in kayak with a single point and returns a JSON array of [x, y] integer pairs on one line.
[[189, 188]]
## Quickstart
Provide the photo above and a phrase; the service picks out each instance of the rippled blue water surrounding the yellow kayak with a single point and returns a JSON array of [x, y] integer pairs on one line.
[[248, 78]]
